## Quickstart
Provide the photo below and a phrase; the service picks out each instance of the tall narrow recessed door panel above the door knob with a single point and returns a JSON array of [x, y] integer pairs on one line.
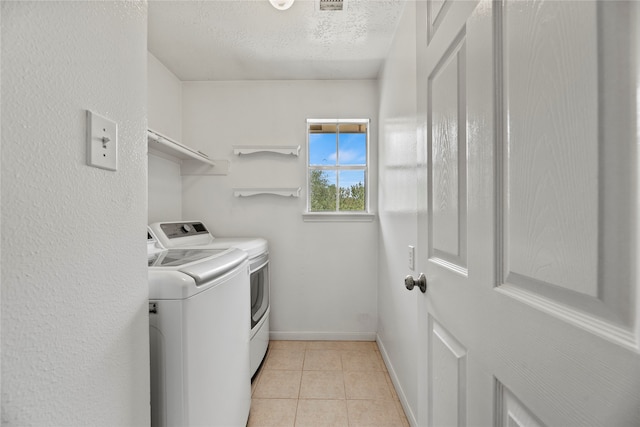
[[447, 142]]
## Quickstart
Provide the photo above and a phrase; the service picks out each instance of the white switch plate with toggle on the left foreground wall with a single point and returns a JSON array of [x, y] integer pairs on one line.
[[102, 142]]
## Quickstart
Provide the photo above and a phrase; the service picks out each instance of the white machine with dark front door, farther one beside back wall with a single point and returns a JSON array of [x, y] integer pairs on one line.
[[194, 234]]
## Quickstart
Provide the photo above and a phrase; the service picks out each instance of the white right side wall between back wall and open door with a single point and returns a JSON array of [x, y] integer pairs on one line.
[[398, 327]]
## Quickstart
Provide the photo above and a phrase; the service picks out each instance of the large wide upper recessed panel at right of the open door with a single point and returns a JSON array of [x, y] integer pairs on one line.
[[552, 259]]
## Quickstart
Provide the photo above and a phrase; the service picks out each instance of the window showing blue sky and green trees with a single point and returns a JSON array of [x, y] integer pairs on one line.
[[338, 166]]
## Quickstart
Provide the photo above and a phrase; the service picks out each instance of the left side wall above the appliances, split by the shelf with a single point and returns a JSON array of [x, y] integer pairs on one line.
[[164, 99]]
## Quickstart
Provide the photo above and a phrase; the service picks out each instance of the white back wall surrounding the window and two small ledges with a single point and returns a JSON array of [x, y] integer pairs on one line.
[[323, 275]]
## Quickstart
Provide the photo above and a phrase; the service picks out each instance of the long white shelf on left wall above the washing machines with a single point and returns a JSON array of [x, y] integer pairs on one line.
[[192, 162]]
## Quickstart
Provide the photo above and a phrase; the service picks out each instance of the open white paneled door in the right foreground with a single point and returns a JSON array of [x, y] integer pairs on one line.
[[529, 225]]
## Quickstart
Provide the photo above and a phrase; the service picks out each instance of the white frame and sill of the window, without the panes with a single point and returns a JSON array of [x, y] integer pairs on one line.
[[338, 215]]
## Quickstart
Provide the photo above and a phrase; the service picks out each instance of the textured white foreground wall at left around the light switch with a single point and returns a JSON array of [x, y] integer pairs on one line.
[[74, 278]]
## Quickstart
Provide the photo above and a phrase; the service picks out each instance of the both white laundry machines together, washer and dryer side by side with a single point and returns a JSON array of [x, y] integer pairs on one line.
[[209, 323]]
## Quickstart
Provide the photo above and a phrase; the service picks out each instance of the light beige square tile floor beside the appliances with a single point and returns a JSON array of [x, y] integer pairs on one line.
[[324, 383]]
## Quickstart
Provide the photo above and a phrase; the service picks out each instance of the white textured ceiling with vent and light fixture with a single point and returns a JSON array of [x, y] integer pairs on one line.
[[251, 40]]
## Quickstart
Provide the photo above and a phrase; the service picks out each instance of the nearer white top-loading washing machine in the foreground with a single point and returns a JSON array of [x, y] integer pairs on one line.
[[198, 336]]
